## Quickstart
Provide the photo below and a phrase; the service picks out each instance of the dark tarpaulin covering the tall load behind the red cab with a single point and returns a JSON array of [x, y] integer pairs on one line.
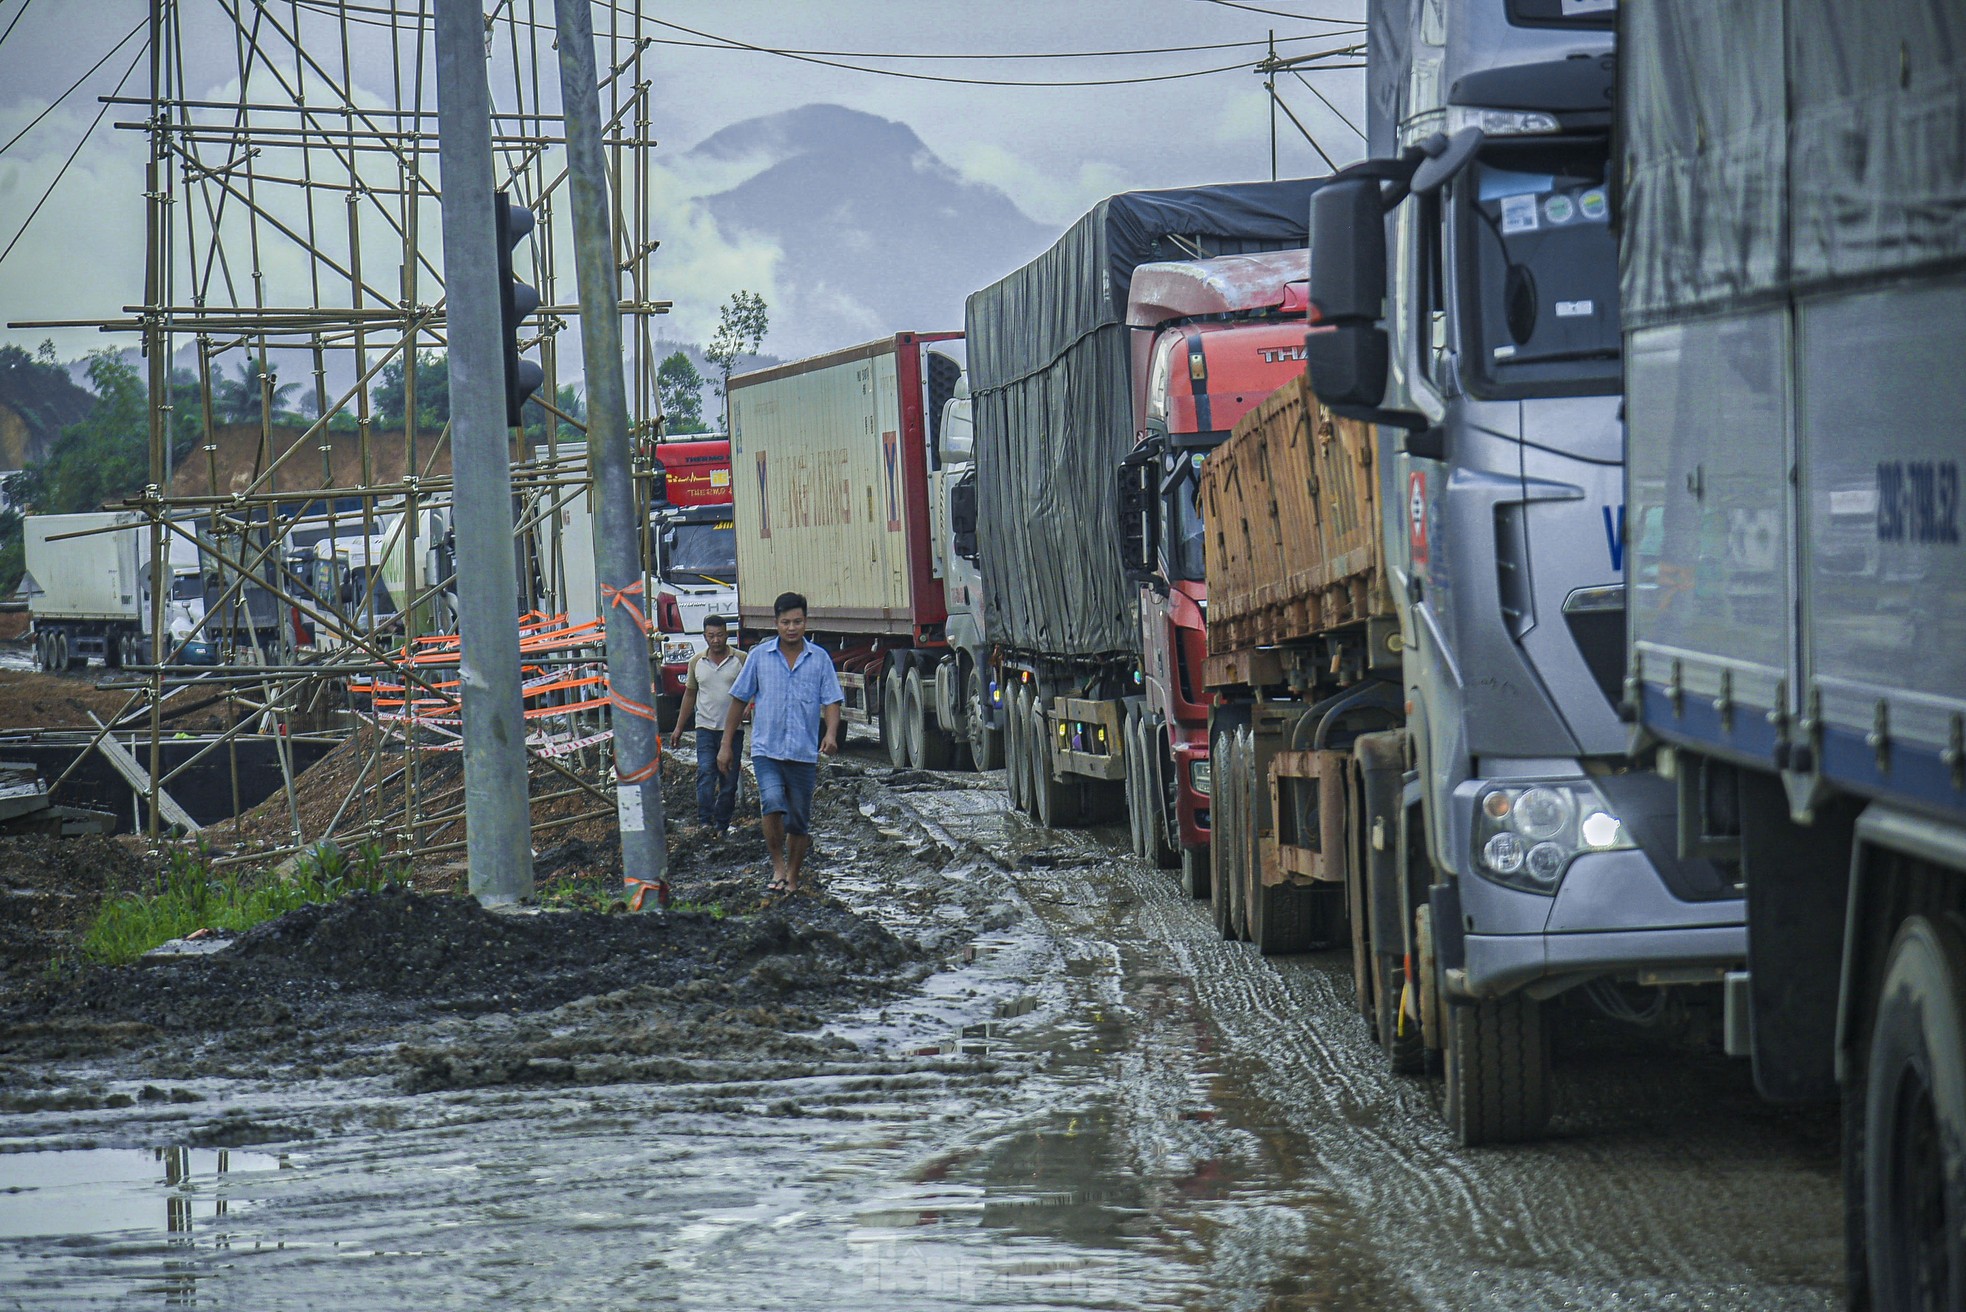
[[1049, 383]]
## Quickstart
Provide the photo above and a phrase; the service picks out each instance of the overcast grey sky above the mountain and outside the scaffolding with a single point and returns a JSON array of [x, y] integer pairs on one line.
[[1053, 150]]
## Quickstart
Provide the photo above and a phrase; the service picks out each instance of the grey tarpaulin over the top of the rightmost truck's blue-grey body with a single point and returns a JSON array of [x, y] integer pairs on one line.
[[1784, 147]]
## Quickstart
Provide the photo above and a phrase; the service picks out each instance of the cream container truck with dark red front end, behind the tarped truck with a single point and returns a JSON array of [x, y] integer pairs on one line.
[[837, 461]]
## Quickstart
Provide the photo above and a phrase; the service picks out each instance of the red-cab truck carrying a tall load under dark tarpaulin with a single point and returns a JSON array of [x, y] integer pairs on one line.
[[1141, 333]]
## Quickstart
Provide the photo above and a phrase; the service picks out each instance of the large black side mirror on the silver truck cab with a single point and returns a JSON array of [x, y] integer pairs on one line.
[[1348, 355]]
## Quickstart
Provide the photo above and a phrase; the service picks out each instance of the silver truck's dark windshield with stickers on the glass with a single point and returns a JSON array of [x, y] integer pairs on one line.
[[1540, 292]]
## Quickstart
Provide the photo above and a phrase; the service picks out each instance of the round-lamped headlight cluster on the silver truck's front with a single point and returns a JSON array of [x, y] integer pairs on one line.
[[1527, 835]]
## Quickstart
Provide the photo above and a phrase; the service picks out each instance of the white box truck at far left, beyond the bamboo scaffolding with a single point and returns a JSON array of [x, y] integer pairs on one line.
[[89, 589]]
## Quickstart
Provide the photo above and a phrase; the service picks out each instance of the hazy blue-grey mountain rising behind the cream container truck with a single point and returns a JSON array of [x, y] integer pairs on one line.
[[878, 233]]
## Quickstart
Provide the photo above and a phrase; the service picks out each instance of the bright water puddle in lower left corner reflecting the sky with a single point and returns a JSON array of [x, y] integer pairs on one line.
[[125, 1191]]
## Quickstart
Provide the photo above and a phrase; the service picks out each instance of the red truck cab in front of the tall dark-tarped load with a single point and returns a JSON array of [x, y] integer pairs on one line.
[[1212, 339]]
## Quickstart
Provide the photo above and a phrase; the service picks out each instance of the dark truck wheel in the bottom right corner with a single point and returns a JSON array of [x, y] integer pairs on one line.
[[1916, 1124]]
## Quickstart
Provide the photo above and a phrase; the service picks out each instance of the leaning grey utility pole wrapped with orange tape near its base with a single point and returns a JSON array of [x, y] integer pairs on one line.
[[610, 457]]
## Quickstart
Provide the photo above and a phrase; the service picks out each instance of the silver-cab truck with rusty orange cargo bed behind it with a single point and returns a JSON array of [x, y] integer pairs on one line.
[[1417, 587]]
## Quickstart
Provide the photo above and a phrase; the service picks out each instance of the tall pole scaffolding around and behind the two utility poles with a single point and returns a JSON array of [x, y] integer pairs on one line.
[[292, 229]]
